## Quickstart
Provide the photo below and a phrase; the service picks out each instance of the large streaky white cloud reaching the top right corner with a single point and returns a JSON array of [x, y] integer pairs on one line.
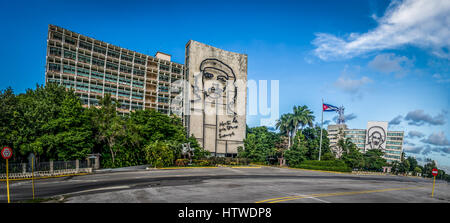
[[421, 23]]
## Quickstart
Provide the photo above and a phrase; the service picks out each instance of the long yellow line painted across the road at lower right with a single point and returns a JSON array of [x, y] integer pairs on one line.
[[282, 199]]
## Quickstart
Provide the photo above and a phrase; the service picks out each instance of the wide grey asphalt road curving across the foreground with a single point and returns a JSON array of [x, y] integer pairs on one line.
[[230, 185]]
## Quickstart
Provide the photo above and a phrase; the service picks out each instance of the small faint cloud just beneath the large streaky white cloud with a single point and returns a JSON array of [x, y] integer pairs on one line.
[[390, 63]]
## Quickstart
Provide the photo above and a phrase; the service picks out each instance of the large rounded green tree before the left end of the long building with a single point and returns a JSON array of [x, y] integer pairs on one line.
[[50, 122]]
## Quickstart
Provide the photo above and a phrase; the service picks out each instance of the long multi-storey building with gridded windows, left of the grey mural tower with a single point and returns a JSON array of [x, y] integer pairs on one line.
[[93, 68]]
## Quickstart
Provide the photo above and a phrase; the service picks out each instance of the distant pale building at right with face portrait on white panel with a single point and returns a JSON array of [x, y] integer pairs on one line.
[[376, 136]]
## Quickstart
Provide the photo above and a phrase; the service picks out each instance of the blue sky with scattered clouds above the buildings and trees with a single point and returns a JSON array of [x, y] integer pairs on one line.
[[382, 60]]
